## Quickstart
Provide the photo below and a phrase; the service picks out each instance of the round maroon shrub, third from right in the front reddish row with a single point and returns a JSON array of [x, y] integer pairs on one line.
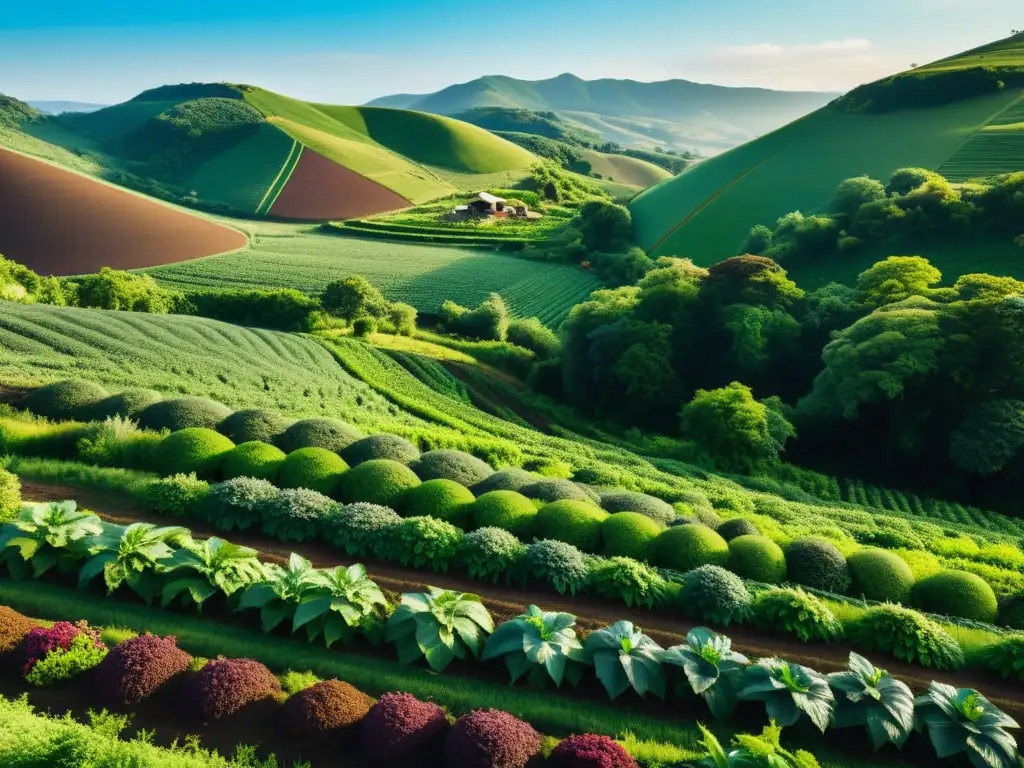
[[400, 728]]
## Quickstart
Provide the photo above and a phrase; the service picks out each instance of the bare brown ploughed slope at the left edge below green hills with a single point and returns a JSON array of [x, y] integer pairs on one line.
[[59, 223]]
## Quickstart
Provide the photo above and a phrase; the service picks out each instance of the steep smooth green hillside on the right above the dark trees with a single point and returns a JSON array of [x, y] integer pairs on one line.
[[707, 212]]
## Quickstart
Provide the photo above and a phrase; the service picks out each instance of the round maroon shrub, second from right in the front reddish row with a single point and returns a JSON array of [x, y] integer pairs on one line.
[[489, 739]]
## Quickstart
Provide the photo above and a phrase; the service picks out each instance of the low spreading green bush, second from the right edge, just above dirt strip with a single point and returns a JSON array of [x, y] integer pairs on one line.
[[907, 635]]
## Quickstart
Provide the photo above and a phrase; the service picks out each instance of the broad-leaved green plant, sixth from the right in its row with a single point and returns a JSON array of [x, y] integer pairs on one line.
[[541, 645]]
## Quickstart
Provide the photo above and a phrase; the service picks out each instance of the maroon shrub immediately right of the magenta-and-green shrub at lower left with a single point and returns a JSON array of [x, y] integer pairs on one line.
[[137, 668]]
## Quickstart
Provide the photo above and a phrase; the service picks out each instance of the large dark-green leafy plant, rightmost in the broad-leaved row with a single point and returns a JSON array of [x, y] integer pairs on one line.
[[961, 721]]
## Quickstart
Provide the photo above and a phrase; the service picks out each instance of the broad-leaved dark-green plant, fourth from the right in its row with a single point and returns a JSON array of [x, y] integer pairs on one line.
[[713, 669]]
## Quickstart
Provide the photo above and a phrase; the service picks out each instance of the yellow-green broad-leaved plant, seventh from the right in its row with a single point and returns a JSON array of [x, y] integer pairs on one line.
[[441, 626]]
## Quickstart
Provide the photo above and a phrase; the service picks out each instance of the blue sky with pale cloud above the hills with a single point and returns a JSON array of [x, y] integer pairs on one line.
[[350, 53]]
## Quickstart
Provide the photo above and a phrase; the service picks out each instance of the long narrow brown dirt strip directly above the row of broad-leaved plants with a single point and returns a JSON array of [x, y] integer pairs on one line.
[[665, 626]]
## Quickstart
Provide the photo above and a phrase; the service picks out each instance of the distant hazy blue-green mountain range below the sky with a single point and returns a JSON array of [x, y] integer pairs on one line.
[[676, 114]]
